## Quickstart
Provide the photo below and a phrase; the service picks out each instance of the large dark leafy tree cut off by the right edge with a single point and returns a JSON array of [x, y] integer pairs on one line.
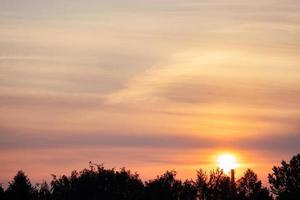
[[285, 179]]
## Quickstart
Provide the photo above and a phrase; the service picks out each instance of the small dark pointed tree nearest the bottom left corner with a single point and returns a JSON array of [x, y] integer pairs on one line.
[[20, 188]]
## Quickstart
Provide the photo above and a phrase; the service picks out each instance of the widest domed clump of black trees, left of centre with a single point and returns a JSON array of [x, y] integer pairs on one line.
[[98, 183]]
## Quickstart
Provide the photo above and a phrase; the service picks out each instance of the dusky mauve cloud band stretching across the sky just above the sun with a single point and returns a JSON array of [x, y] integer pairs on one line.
[[10, 139]]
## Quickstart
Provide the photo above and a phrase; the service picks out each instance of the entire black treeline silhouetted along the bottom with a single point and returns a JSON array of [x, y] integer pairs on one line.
[[98, 183]]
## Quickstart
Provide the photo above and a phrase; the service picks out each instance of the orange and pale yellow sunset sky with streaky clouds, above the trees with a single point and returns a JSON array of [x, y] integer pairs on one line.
[[149, 85]]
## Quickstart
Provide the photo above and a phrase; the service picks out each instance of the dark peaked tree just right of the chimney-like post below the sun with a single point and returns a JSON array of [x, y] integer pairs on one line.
[[250, 188]]
